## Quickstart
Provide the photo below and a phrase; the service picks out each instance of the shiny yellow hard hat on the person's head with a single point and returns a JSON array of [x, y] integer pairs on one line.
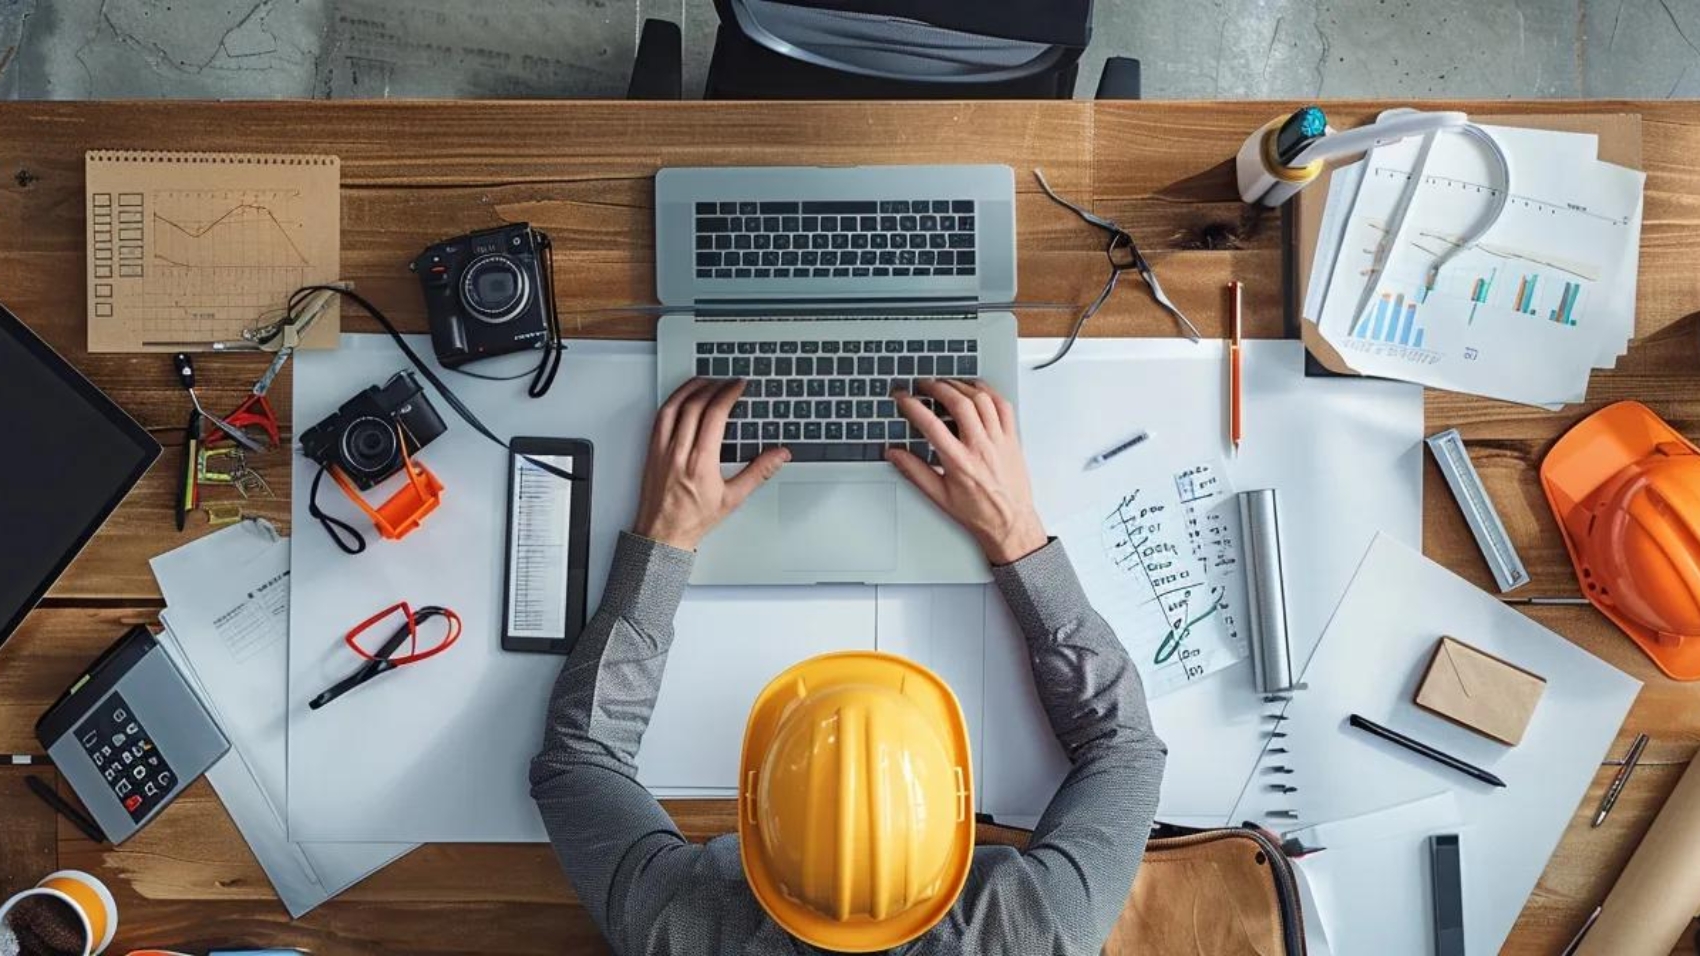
[[856, 812]]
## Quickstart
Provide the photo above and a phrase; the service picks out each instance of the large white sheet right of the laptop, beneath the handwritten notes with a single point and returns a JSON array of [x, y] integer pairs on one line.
[[1346, 455]]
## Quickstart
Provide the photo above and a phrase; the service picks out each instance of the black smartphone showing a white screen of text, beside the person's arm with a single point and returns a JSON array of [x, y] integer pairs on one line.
[[548, 545]]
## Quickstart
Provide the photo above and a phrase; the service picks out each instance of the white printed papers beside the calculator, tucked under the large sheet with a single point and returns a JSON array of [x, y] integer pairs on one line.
[[229, 630]]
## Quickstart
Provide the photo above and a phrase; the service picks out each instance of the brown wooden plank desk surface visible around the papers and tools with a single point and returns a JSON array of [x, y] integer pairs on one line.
[[581, 171]]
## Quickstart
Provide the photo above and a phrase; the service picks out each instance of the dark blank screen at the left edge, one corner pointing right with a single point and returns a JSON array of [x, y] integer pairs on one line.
[[69, 455]]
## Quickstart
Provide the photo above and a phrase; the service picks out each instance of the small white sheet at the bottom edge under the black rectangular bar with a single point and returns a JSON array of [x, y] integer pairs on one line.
[[1371, 887]]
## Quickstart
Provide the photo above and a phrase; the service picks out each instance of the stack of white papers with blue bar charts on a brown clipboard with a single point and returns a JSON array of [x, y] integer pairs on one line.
[[1546, 297]]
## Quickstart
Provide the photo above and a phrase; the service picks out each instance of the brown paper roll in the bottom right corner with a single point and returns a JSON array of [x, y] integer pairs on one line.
[[1658, 894]]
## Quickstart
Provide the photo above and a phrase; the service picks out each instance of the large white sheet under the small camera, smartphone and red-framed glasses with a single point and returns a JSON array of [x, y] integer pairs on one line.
[[441, 751]]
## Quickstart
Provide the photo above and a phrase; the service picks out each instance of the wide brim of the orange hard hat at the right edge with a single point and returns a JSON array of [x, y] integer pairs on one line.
[[1590, 455]]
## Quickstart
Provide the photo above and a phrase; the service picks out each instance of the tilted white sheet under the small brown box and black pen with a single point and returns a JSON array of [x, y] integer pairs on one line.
[[1371, 663]]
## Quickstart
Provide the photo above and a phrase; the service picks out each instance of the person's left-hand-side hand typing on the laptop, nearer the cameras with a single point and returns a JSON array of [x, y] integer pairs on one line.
[[684, 494]]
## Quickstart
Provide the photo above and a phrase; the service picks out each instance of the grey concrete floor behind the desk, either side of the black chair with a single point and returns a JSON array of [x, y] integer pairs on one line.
[[582, 48]]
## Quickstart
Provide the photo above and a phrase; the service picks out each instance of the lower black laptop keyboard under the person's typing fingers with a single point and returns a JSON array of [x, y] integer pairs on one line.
[[830, 401]]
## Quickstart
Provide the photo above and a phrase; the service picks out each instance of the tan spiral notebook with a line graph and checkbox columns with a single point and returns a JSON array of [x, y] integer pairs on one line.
[[188, 251]]
